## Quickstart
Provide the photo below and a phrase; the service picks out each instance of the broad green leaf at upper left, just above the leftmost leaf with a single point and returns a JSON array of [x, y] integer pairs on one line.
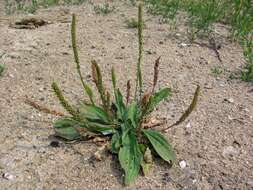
[[94, 114]]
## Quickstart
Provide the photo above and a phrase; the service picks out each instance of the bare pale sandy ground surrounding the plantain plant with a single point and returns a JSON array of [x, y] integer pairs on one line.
[[216, 145]]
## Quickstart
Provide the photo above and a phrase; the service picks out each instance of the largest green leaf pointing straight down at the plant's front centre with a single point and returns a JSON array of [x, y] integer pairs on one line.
[[130, 157]]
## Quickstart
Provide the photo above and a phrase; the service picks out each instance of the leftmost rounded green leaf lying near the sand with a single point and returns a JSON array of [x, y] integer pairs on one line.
[[65, 128]]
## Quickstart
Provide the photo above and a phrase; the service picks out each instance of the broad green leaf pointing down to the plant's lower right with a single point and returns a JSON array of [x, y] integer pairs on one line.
[[161, 145]]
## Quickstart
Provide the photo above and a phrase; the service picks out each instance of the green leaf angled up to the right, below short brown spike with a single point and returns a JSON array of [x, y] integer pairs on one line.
[[155, 100]]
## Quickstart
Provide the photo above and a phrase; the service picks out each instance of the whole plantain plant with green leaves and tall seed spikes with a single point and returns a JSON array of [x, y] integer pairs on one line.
[[121, 119]]
